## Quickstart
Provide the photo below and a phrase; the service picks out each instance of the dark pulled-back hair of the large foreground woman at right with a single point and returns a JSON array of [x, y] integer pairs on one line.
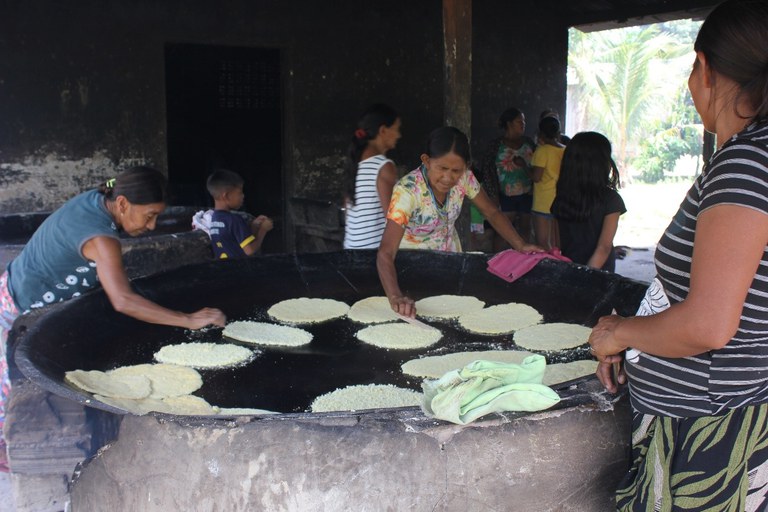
[[734, 40]]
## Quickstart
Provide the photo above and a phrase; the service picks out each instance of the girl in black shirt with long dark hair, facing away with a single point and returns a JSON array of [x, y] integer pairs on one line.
[[587, 205]]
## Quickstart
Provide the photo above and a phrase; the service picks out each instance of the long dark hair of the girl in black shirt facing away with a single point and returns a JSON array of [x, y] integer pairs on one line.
[[587, 172]]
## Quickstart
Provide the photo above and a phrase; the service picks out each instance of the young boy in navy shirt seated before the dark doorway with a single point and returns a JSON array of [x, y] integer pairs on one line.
[[231, 236]]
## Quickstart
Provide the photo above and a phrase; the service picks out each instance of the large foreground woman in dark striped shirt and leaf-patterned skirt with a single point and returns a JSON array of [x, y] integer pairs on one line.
[[697, 352]]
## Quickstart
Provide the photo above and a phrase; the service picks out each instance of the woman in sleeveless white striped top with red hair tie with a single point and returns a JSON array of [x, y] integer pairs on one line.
[[370, 176]]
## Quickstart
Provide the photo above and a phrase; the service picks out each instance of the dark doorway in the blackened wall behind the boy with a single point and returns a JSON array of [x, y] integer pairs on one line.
[[224, 112]]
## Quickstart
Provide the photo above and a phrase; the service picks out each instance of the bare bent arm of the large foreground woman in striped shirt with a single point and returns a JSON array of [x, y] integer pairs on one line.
[[725, 259]]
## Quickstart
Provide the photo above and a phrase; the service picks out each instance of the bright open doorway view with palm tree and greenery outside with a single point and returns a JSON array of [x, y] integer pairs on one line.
[[630, 84]]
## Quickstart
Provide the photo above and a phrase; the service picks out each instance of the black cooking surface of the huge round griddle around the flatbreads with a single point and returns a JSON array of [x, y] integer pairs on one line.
[[86, 333]]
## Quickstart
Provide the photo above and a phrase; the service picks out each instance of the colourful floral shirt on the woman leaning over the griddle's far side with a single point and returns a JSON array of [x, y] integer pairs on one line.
[[426, 225]]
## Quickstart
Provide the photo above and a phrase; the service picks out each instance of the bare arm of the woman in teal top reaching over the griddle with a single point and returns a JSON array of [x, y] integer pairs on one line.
[[105, 251]]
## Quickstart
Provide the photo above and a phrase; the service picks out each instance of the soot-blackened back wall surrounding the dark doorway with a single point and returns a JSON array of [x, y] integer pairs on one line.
[[82, 84]]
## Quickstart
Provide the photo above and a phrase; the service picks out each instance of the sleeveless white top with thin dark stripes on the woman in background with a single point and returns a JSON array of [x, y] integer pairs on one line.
[[365, 219]]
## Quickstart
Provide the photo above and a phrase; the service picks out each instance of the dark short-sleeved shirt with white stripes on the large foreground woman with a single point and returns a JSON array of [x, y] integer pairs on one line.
[[736, 375]]
